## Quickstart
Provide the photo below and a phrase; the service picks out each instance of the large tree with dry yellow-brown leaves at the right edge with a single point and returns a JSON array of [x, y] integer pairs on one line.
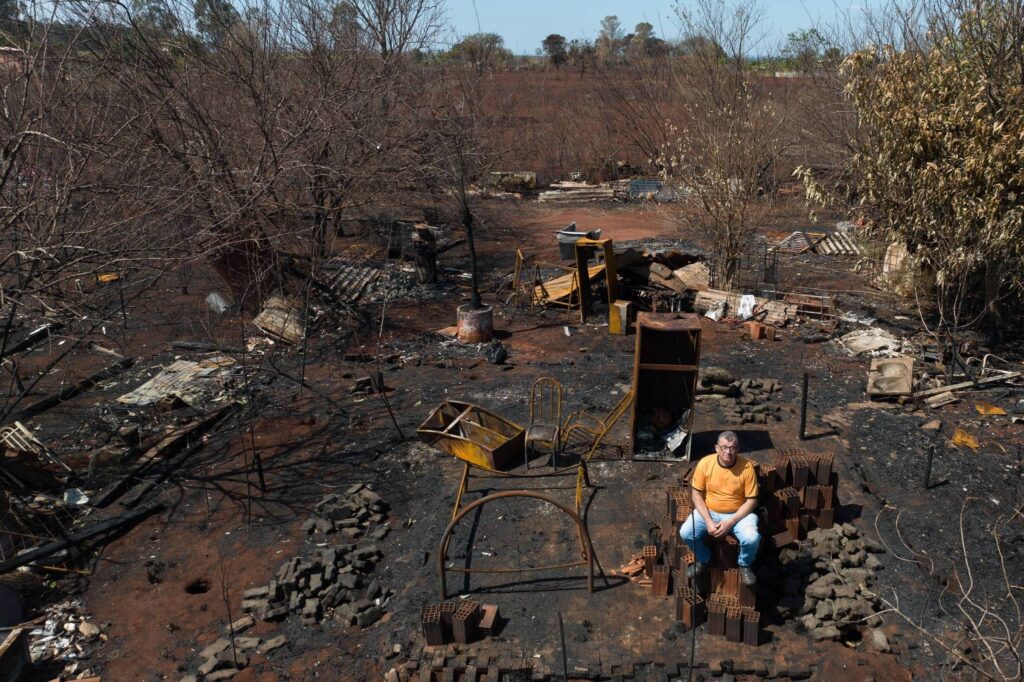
[[938, 163]]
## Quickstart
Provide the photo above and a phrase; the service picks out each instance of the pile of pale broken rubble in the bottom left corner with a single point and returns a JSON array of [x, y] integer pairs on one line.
[[67, 634]]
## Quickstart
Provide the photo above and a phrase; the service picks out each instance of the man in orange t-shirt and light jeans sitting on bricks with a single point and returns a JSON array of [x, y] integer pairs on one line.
[[726, 493]]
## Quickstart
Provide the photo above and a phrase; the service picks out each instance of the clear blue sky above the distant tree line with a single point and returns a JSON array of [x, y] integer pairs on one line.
[[524, 24]]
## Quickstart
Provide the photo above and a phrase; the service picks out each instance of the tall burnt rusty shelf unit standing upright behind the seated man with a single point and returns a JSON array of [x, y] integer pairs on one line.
[[665, 376]]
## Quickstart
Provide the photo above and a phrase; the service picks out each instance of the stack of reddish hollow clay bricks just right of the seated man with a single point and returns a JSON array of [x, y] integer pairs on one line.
[[798, 491]]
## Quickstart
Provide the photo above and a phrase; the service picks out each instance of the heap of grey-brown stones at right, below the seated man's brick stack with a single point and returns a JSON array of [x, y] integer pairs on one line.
[[828, 583]]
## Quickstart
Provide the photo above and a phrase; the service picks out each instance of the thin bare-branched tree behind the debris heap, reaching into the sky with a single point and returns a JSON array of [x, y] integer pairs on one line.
[[734, 135]]
